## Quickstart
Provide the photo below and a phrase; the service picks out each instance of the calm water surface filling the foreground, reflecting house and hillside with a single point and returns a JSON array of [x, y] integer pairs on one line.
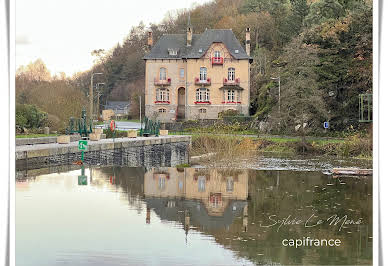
[[188, 216]]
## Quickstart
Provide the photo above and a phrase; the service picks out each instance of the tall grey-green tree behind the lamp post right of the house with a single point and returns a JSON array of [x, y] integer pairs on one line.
[[302, 106]]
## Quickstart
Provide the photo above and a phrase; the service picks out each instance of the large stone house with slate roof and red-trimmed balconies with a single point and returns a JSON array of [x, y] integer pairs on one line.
[[197, 76]]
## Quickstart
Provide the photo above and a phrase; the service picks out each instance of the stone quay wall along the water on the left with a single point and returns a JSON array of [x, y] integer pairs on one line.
[[148, 152]]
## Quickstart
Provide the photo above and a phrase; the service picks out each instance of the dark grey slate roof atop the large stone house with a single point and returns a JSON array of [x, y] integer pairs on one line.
[[199, 42]]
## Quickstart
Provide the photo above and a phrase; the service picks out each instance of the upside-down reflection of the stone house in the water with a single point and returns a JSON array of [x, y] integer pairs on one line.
[[208, 198]]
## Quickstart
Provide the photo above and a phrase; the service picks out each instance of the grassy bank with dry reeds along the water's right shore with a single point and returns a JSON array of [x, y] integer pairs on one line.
[[242, 146]]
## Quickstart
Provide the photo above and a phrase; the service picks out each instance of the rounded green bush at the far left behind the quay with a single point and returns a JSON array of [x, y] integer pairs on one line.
[[29, 116]]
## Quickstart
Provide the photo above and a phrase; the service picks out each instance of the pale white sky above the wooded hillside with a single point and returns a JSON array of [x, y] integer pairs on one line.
[[64, 32]]
